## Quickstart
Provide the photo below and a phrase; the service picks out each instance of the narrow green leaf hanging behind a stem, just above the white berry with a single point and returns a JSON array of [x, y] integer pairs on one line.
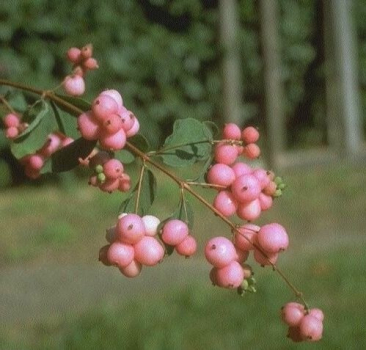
[[147, 195]]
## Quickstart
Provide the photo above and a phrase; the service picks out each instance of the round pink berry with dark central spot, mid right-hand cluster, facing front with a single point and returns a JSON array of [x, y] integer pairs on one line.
[[246, 188]]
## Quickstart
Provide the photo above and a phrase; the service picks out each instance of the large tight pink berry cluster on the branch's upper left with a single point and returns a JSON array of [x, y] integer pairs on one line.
[[108, 121]]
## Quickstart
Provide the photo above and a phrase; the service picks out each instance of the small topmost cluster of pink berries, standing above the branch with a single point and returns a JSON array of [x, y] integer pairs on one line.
[[83, 61]]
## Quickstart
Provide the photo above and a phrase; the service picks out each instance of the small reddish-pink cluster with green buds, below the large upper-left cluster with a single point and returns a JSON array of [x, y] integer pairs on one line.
[[108, 173]]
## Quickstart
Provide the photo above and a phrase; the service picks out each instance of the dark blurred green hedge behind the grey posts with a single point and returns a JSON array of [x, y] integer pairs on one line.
[[164, 56]]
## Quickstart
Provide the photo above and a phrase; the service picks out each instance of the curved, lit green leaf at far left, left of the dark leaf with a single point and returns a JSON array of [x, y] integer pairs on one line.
[[32, 141]]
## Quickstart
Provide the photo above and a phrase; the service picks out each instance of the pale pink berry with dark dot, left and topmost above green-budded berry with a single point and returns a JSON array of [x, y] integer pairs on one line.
[[219, 251]]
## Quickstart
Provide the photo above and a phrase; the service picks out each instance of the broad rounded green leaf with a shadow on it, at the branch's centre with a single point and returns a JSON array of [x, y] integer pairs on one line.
[[188, 144]]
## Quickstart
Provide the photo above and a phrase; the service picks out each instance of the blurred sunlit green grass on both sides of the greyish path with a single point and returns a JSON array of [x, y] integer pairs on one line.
[[323, 210]]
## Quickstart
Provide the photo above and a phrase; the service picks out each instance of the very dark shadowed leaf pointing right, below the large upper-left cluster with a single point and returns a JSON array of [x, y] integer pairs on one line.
[[67, 157]]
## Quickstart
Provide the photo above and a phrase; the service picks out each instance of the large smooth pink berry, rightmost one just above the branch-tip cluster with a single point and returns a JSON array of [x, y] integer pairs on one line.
[[273, 238]]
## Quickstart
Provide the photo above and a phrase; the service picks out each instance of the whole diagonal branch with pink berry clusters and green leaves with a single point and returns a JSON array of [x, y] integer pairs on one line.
[[60, 132]]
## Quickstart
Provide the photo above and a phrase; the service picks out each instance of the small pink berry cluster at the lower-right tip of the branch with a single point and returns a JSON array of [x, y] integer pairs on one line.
[[304, 325]]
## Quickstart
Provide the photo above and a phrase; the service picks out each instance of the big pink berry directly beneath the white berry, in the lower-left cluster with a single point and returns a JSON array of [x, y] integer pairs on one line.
[[148, 251]]
